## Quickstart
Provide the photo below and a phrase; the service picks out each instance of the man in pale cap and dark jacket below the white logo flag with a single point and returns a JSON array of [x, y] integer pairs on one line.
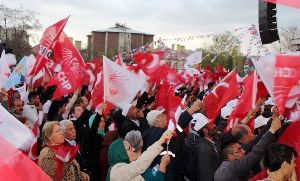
[[134, 120]]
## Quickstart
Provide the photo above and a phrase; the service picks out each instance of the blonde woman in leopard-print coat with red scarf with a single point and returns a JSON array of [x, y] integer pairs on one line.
[[56, 158]]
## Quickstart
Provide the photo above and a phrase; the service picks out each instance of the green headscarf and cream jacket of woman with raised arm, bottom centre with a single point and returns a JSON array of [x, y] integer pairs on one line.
[[121, 169]]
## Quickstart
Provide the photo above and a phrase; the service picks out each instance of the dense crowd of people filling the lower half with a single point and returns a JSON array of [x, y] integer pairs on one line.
[[134, 143]]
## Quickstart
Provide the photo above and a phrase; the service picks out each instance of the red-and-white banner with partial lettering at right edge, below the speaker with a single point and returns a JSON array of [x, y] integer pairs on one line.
[[280, 74]]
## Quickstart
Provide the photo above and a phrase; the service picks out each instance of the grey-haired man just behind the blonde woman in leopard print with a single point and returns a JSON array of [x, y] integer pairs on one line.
[[69, 131]]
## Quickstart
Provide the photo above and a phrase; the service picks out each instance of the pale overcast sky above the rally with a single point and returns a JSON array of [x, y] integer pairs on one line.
[[164, 18]]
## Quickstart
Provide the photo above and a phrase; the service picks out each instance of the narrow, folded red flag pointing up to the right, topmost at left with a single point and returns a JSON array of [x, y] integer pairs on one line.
[[47, 44]]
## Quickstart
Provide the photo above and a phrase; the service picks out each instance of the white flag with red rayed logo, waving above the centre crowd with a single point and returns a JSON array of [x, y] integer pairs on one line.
[[120, 85]]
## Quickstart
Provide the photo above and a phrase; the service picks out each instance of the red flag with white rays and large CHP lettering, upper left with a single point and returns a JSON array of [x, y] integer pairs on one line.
[[71, 77]]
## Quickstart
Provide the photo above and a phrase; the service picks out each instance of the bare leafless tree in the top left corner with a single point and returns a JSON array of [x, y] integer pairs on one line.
[[17, 25]]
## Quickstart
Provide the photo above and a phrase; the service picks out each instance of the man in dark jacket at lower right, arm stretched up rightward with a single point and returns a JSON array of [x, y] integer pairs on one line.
[[236, 165]]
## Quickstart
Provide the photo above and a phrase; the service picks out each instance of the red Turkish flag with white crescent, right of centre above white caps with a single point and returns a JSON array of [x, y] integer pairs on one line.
[[225, 91]]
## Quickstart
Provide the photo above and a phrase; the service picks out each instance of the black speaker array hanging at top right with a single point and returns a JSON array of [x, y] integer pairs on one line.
[[267, 22]]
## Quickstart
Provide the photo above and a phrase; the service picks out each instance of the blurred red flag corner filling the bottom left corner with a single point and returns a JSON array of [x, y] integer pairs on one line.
[[14, 165]]
